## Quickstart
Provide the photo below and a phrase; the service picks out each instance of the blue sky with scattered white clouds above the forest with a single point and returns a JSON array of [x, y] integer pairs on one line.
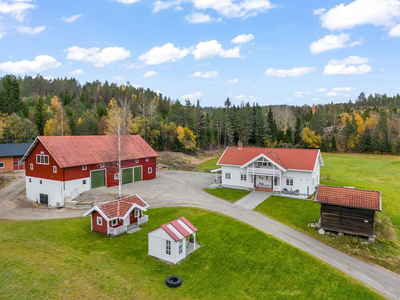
[[270, 52]]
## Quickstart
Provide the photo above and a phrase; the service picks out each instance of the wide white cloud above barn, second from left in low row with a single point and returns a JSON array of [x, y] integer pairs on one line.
[[96, 57]]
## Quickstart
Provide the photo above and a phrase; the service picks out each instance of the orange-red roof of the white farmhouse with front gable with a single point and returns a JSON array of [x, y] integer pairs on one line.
[[296, 159]]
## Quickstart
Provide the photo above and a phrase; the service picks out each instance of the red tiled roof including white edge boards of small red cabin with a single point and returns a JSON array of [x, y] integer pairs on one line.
[[119, 209]]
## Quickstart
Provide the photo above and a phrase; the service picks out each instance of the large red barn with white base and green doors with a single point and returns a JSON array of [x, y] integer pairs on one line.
[[59, 168]]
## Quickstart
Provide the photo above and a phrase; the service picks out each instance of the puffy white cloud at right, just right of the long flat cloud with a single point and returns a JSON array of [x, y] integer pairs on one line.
[[349, 66]]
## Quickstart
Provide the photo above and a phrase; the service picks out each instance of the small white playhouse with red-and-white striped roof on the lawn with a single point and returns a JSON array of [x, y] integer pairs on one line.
[[168, 242]]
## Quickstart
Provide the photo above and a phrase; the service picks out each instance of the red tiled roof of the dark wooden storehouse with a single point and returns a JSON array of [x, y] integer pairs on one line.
[[349, 197]]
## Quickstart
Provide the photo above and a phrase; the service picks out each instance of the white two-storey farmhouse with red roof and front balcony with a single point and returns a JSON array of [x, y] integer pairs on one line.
[[271, 169]]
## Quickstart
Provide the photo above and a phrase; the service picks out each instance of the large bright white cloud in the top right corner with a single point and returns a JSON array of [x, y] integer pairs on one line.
[[362, 12]]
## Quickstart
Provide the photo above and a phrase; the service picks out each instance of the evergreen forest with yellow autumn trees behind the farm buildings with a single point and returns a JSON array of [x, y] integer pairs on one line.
[[31, 106]]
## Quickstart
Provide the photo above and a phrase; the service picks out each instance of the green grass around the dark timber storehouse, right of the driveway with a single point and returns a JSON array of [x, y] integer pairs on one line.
[[373, 172]]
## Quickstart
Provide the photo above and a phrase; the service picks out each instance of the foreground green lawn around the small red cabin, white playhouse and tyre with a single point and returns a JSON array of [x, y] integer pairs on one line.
[[63, 259]]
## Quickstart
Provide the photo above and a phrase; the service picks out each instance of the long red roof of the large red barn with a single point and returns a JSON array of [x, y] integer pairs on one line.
[[70, 151]]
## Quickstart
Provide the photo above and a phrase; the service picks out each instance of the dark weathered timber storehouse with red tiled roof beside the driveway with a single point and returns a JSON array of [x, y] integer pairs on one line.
[[348, 210]]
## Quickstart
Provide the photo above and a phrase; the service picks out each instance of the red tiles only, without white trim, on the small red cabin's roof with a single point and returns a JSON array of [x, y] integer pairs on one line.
[[119, 208]]
